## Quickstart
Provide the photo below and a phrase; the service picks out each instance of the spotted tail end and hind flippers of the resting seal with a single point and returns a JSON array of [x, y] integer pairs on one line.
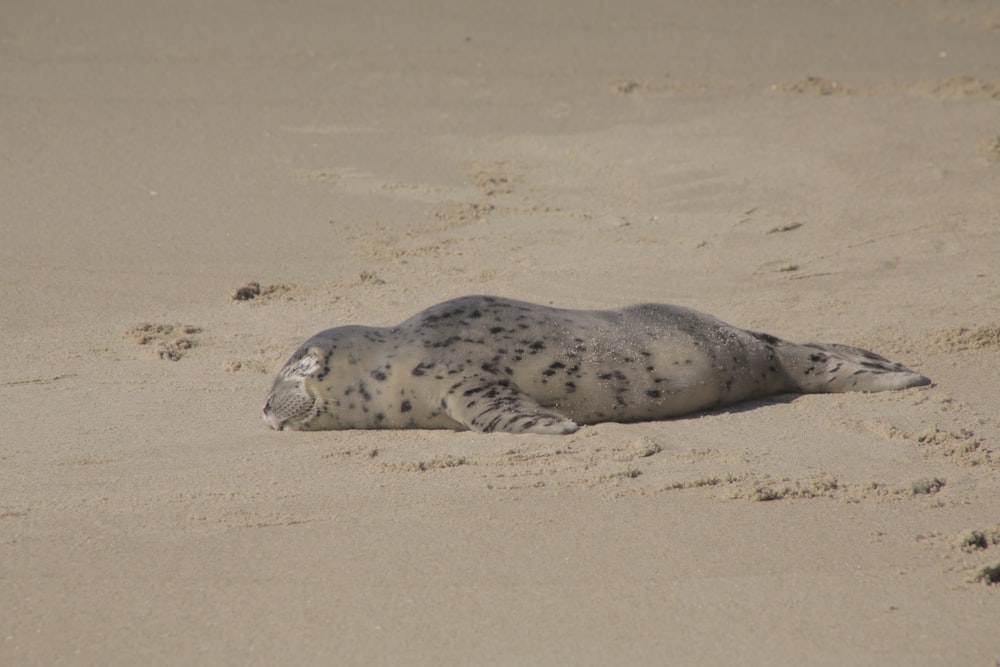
[[832, 368]]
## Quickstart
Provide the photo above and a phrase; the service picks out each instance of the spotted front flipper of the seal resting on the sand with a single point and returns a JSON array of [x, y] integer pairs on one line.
[[487, 404]]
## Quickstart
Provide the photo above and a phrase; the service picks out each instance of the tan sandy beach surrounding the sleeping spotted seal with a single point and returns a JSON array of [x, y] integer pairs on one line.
[[828, 173]]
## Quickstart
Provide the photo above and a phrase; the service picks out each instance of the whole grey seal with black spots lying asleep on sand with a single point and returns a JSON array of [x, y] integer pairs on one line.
[[486, 363]]
